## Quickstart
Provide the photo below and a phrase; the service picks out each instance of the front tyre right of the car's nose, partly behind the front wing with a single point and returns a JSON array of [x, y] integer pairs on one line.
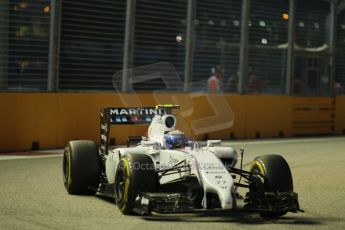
[[277, 177]]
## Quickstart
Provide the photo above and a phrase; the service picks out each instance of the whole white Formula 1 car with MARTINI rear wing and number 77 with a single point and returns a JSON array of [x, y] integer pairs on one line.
[[167, 173]]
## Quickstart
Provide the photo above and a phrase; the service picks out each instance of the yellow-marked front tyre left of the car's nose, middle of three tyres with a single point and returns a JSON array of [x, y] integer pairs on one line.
[[135, 173]]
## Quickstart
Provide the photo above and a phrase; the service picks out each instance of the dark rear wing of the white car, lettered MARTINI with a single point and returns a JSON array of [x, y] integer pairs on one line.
[[128, 116]]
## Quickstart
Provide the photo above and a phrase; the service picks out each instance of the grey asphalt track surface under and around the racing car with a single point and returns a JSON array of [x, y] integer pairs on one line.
[[32, 195]]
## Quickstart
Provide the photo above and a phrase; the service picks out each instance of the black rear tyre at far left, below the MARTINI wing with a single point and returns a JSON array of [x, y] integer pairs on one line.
[[81, 167]]
